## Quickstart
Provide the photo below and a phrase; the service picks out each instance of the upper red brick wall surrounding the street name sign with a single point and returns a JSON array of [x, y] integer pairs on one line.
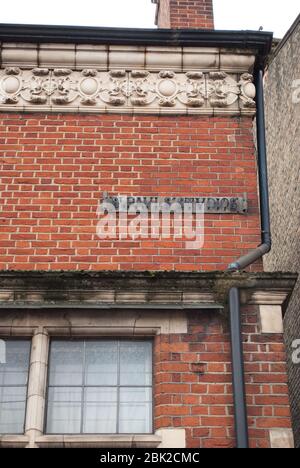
[[55, 168]]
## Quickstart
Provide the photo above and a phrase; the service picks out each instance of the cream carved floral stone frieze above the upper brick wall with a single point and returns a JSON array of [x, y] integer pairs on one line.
[[138, 89]]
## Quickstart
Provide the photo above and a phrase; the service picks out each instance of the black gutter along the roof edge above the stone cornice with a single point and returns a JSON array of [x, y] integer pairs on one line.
[[258, 40]]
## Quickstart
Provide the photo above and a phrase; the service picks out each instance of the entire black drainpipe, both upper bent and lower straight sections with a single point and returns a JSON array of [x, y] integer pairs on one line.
[[238, 374]]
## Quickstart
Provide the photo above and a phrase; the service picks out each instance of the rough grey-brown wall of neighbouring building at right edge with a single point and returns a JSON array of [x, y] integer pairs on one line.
[[283, 115]]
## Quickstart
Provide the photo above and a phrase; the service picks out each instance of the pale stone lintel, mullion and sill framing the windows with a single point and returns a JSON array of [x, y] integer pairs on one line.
[[34, 436]]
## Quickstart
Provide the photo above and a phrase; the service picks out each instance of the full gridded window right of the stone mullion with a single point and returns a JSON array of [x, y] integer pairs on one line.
[[98, 387]]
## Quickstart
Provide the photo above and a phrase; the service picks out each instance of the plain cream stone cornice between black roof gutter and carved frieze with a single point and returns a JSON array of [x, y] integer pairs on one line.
[[115, 57]]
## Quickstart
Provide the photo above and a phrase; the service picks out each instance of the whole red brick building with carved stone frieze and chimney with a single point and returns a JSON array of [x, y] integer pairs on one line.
[[88, 114]]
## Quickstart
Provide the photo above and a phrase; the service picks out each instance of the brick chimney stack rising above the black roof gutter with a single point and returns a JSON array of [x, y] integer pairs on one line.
[[184, 14]]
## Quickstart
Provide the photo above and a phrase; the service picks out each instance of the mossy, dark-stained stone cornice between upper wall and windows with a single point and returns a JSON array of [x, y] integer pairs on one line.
[[160, 290]]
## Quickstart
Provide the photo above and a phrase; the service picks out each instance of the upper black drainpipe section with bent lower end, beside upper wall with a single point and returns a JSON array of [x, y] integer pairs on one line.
[[266, 244]]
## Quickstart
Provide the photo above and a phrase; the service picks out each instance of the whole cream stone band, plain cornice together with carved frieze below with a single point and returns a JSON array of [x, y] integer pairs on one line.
[[65, 78]]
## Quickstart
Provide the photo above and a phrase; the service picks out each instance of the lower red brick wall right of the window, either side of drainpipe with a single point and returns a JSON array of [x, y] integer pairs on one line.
[[193, 382]]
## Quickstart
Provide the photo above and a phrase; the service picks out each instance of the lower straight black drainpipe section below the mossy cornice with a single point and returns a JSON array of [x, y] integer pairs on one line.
[[238, 374]]
